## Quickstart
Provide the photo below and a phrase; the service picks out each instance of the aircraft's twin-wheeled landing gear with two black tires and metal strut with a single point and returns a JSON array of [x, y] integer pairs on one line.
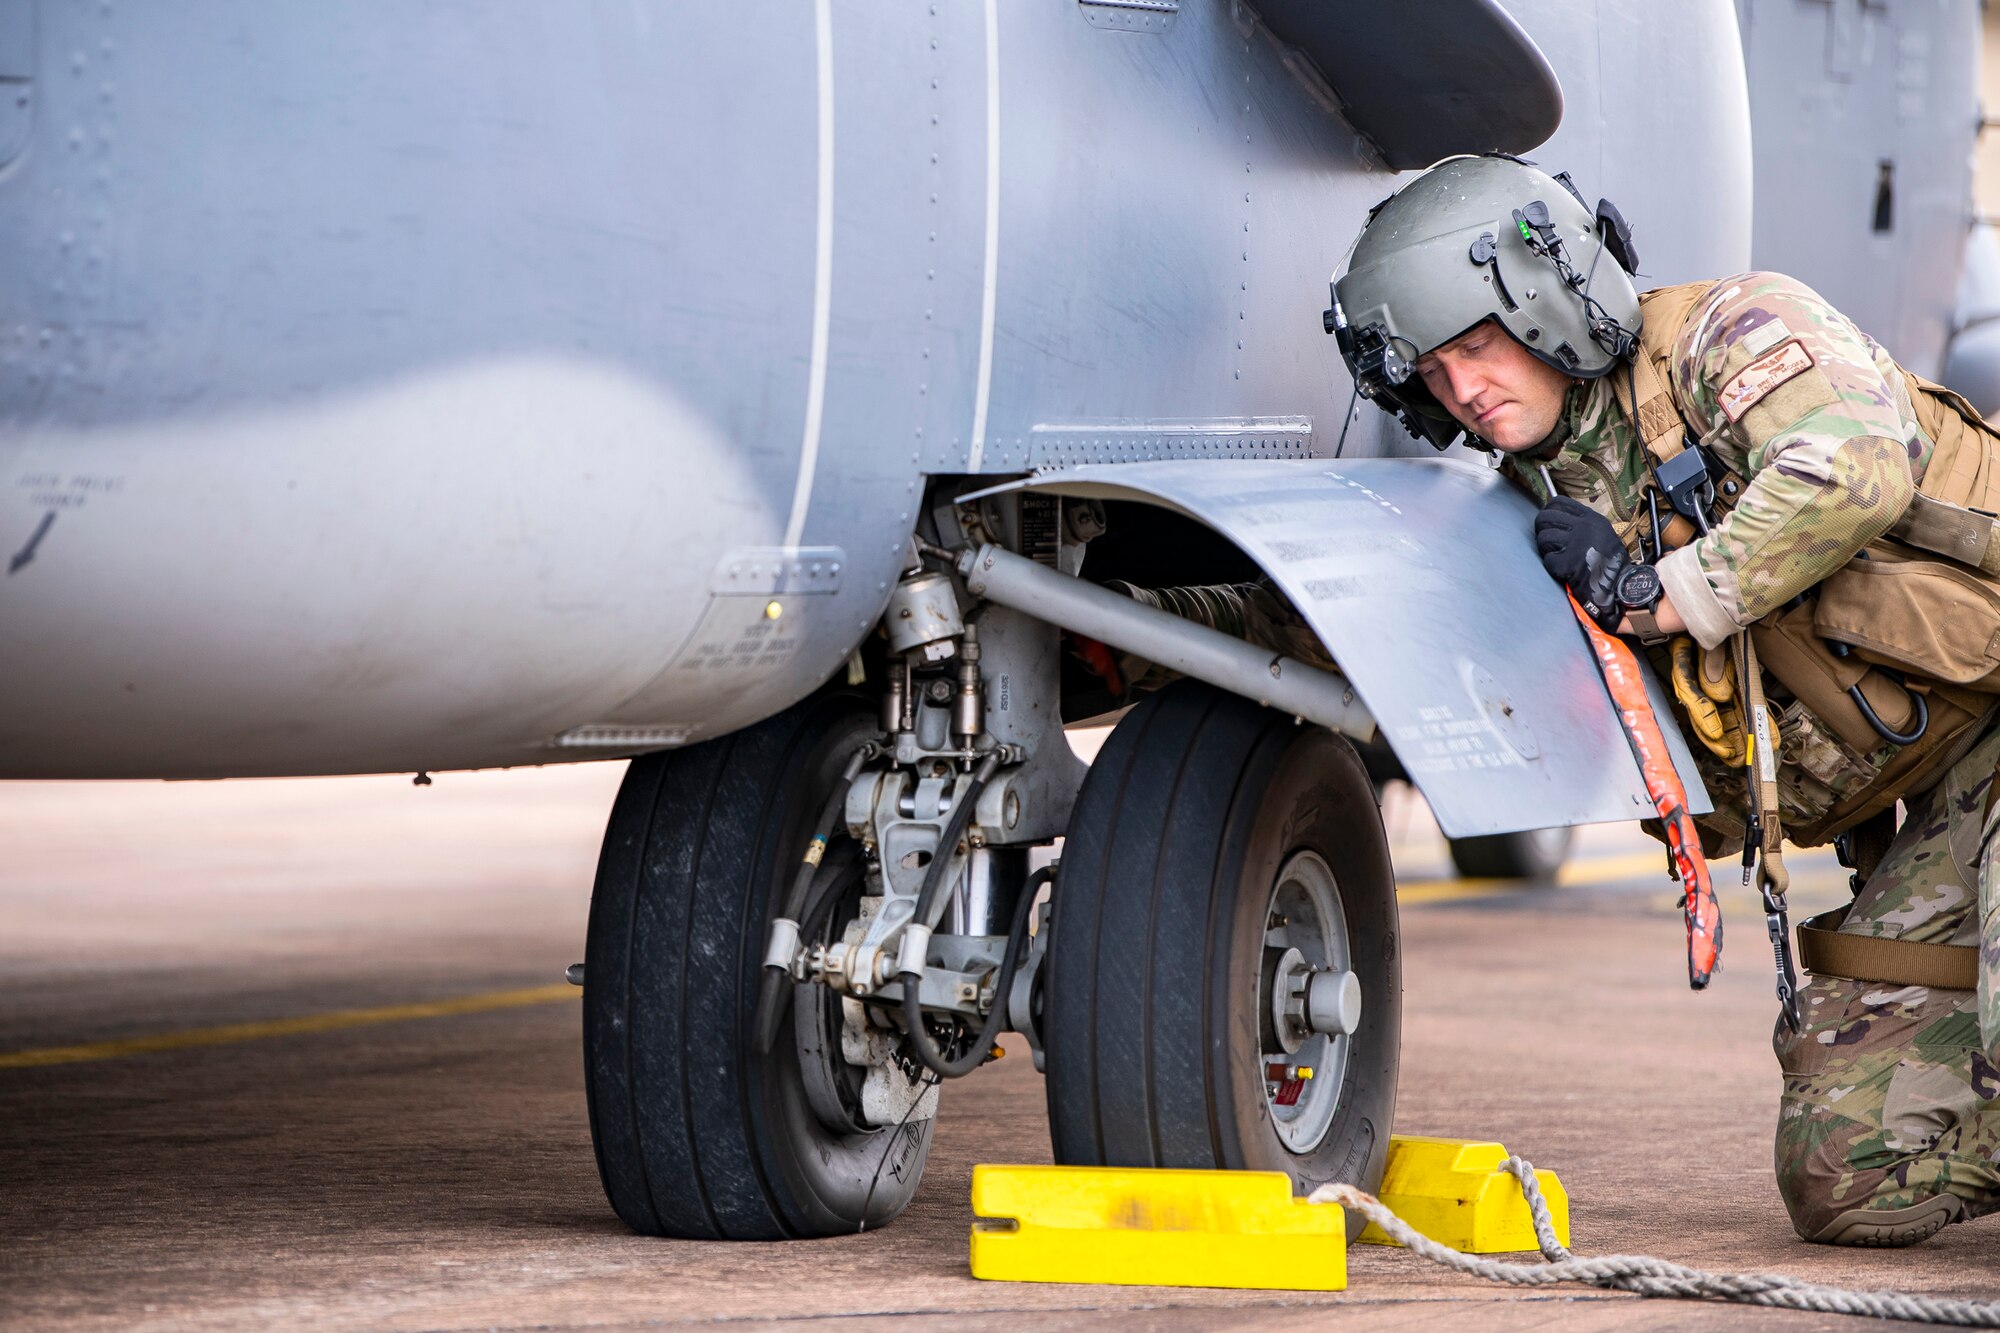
[[803, 930]]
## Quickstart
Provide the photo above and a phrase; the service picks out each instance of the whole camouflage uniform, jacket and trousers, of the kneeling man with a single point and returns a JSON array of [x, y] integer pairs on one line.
[[1891, 1094]]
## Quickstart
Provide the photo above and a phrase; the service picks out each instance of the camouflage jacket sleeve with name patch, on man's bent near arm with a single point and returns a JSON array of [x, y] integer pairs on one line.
[[1819, 421]]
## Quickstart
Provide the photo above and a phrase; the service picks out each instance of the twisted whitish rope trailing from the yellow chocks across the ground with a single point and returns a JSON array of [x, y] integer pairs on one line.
[[1657, 1278]]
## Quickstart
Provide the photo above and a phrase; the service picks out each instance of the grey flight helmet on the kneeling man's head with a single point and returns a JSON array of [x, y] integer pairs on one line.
[[1483, 239]]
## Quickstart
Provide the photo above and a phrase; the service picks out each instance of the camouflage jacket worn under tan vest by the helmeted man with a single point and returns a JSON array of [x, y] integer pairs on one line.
[[1833, 459]]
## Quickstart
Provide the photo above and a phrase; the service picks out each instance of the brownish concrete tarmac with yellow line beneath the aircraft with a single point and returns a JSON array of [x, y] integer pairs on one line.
[[243, 1086]]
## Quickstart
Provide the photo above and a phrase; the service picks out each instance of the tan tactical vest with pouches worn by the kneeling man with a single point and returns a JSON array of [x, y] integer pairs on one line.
[[1913, 623]]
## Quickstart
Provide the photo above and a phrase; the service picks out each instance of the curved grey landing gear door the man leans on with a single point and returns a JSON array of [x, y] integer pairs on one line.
[[1423, 581]]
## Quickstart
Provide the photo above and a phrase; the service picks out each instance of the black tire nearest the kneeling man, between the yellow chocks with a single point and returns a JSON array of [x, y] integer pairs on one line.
[[1185, 836]]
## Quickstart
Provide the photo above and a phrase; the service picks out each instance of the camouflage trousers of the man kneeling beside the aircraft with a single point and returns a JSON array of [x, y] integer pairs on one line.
[[1891, 1094]]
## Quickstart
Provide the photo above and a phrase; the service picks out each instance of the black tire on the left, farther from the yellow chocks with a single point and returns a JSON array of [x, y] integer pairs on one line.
[[695, 1134]]
